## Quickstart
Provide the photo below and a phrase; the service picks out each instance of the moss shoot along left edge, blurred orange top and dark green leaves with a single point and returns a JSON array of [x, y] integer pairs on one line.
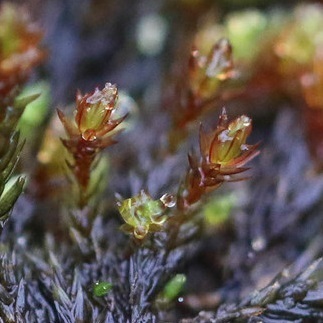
[[19, 53]]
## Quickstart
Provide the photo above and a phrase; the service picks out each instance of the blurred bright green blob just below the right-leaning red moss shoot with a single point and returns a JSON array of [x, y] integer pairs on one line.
[[217, 210]]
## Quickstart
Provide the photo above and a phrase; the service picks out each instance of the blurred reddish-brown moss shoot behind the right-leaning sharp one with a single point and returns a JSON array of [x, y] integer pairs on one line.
[[200, 88]]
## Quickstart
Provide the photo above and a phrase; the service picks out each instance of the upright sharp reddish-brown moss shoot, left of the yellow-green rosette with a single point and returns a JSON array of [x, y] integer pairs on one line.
[[91, 131]]
